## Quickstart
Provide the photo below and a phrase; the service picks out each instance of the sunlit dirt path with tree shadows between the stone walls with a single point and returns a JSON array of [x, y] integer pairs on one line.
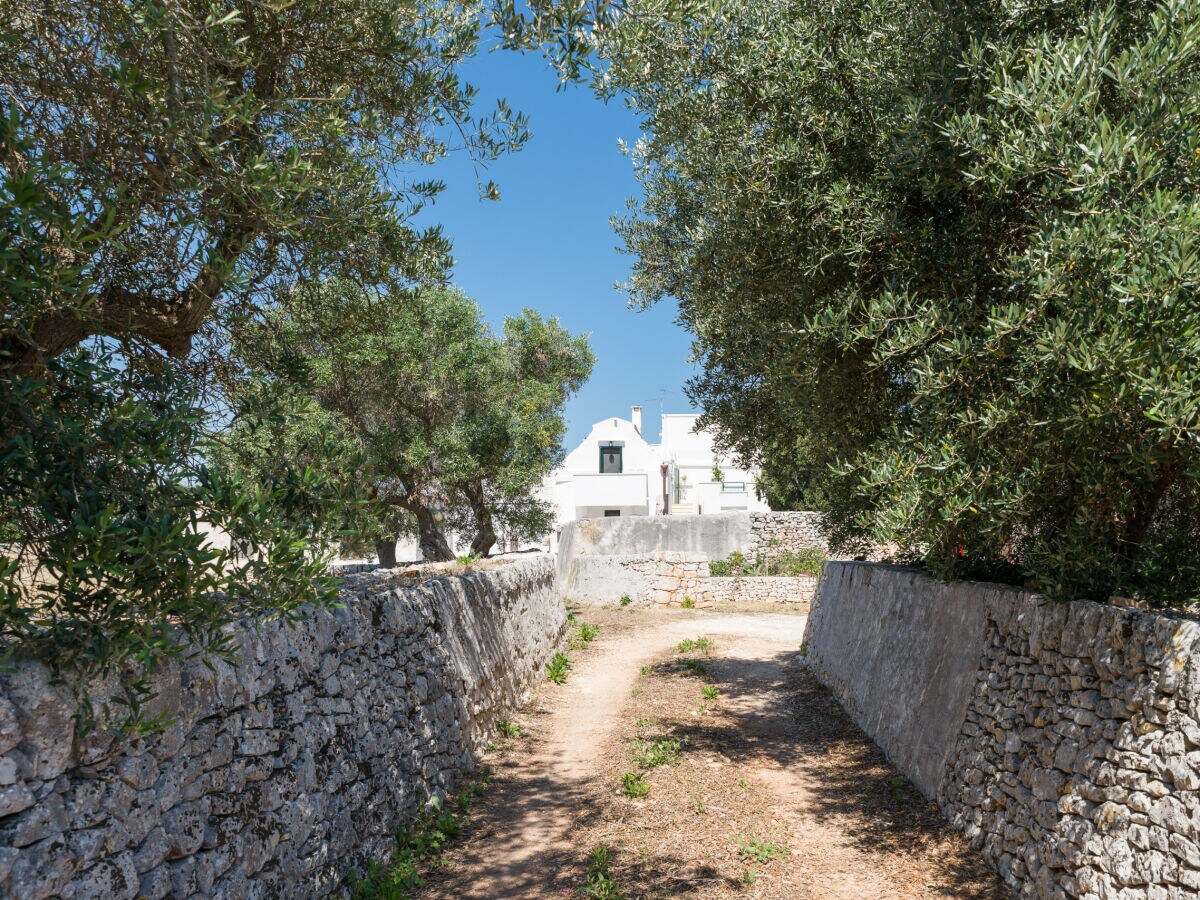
[[765, 801]]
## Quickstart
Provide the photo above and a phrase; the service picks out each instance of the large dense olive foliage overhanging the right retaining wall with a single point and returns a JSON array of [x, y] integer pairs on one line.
[[943, 265]]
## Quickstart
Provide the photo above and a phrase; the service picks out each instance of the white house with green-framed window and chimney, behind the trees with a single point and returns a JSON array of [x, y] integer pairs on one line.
[[616, 472]]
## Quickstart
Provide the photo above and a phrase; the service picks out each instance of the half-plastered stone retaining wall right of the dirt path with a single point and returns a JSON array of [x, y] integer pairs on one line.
[[1064, 740]]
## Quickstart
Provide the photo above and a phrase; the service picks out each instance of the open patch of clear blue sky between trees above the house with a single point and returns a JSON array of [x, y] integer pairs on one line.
[[548, 243]]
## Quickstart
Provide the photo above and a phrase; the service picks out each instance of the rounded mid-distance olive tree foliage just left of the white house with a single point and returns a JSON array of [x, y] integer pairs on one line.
[[425, 413]]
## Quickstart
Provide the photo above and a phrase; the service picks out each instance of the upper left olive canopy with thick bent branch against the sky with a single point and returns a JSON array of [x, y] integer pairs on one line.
[[233, 151]]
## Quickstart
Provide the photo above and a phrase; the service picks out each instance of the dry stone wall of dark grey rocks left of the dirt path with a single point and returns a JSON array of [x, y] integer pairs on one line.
[[281, 773]]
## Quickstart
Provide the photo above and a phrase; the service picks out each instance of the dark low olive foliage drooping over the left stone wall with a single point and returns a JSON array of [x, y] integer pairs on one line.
[[112, 569]]
